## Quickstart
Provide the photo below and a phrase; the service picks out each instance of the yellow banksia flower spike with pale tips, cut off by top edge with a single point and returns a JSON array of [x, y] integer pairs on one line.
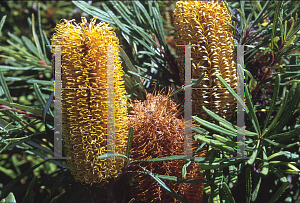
[[202, 24]]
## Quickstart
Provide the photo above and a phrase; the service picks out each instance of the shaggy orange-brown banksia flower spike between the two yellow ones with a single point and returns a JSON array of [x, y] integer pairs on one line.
[[158, 133]]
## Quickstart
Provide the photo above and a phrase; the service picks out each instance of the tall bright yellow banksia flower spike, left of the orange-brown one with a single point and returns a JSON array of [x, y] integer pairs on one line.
[[84, 105]]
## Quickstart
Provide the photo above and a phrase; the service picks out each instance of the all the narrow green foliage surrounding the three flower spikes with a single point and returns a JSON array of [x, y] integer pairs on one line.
[[271, 160]]
